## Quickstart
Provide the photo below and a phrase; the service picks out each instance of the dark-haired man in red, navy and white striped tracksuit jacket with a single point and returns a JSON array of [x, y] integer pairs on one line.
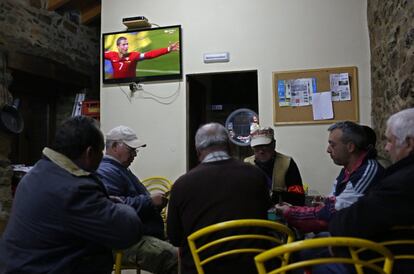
[[348, 147]]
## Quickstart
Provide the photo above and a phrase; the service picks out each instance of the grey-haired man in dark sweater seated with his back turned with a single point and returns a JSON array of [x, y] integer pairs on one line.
[[219, 189]]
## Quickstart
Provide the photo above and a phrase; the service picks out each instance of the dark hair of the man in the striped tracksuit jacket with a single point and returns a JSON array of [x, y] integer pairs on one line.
[[351, 133]]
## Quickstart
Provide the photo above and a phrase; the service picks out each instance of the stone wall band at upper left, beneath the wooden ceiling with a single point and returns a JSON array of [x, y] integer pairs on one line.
[[43, 33]]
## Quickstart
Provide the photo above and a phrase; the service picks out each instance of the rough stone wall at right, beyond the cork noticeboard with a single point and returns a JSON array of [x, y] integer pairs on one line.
[[391, 30]]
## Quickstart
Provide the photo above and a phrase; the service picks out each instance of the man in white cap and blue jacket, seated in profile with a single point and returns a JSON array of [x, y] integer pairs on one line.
[[151, 253]]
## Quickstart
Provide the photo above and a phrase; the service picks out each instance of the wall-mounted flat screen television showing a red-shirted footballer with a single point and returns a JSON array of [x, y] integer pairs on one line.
[[142, 55]]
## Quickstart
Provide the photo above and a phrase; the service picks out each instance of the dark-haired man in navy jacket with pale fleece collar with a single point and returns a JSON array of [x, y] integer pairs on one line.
[[62, 220]]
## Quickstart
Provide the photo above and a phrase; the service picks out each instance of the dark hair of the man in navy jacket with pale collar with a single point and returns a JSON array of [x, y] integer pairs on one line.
[[76, 134]]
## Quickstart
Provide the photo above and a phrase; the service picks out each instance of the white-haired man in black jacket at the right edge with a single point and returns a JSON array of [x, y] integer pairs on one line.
[[389, 204]]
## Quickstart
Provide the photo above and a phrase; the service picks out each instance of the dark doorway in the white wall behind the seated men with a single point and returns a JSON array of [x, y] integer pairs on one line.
[[212, 97]]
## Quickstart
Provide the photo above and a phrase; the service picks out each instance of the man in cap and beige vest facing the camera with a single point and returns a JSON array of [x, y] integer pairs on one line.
[[283, 177]]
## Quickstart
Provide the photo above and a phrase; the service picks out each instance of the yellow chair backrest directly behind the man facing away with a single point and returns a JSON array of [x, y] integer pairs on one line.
[[272, 233]]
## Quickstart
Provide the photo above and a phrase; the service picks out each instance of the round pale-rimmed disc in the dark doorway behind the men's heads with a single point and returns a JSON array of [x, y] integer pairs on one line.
[[239, 124]]
